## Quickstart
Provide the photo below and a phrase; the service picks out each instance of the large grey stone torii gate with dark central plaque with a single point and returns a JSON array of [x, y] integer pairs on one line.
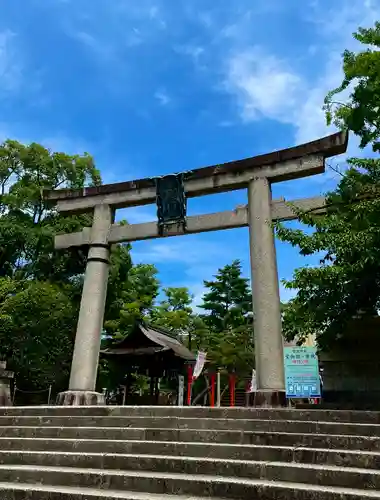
[[170, 193]]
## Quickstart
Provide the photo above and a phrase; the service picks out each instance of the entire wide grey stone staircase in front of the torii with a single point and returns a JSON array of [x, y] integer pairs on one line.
[[169, 453]]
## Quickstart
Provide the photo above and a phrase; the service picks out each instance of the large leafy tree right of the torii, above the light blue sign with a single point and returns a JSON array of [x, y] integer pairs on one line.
[[347, 281]]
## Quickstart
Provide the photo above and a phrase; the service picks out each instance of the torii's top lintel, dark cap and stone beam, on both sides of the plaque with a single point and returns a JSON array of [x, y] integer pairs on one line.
[[286, 164]]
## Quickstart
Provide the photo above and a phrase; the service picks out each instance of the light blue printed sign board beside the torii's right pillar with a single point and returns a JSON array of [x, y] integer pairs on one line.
[[301, 373]]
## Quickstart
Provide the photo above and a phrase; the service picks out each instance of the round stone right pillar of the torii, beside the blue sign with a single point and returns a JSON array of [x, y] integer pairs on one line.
[[266, 297]]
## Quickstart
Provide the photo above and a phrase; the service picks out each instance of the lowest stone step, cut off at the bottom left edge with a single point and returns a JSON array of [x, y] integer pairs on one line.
[[13, 491]]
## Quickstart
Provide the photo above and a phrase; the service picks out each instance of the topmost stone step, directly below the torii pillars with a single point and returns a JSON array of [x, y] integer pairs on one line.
[[197, 412]]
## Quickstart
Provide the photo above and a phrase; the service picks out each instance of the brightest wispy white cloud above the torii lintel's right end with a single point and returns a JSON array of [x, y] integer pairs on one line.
[[266, 86]]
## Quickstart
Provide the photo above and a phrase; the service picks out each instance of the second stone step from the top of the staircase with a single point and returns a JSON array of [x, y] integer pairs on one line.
[[296, 426]]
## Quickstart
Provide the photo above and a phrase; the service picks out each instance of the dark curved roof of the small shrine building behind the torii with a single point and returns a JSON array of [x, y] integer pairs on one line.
[[147, 340]]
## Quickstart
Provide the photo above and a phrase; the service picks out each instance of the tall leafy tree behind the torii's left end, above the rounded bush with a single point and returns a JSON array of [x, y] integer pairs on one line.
[[27, 224]]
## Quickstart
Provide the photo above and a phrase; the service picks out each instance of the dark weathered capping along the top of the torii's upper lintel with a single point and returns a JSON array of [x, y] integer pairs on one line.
[[325, 147]]
